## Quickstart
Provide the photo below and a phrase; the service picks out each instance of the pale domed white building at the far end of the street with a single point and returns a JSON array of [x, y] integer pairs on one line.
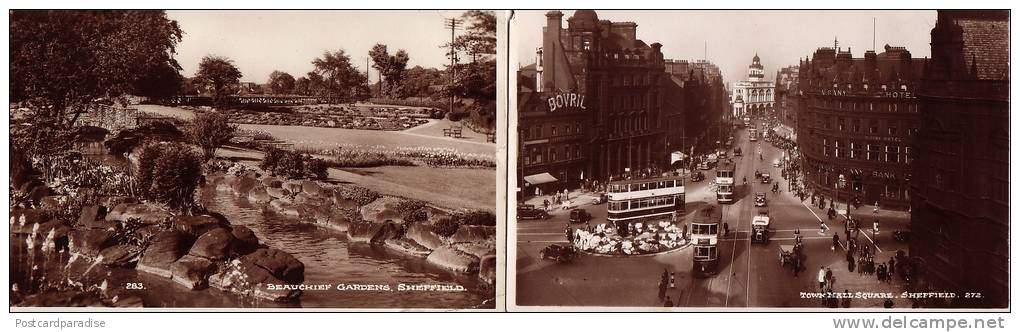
[[753, 97]]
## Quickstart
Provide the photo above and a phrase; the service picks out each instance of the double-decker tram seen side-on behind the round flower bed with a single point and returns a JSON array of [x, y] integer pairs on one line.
[[648, 200]]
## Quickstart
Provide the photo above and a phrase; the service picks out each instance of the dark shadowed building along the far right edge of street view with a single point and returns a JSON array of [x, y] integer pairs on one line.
[[960, 202]]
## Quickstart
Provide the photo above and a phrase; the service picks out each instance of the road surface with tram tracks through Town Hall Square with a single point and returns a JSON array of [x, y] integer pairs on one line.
[[749, 275]]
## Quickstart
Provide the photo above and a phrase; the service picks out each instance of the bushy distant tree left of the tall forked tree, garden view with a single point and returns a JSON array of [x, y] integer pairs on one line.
[[340, 78]]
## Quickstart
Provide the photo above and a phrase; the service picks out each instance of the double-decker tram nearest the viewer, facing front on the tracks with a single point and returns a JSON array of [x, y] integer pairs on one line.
[[705, 240]]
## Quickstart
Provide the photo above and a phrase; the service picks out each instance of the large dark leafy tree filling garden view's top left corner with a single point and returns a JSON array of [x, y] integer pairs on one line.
[[63, 62]]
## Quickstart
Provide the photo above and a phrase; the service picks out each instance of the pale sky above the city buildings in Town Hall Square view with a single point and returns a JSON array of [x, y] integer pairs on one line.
[[779, 37]]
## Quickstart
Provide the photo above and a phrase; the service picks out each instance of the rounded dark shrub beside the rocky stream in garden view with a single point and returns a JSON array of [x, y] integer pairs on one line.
[[169, 174]]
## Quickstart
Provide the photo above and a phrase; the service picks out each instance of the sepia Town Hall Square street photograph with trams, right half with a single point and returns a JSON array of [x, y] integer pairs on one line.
[[743, 160]]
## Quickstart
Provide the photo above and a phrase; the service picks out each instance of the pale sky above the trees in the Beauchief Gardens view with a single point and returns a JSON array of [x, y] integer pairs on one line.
[[263, 41]]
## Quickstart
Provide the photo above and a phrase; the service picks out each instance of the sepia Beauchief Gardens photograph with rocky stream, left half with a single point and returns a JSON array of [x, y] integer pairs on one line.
[[253, 160]]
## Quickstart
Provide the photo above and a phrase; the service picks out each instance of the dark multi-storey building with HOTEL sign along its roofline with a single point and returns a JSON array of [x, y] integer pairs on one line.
[[857, 119]]
